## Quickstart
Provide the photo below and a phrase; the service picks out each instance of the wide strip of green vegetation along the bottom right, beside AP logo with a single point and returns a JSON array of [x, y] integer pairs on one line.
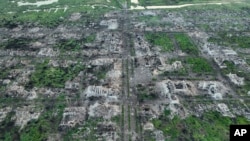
[[211, 126]]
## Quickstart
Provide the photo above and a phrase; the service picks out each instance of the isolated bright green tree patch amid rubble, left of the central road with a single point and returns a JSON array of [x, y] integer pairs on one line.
[[47, 76]]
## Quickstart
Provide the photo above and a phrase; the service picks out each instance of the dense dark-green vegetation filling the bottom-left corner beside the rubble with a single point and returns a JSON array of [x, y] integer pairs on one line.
[[35, 130]]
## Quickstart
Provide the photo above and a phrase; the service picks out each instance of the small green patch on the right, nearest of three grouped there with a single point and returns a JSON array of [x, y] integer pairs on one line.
[[199, 65]]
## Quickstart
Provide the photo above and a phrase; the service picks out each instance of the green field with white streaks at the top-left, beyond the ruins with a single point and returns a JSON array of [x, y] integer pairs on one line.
[[53, 14]]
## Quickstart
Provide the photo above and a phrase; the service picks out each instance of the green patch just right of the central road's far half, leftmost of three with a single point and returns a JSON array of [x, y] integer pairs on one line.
[[160, 39]]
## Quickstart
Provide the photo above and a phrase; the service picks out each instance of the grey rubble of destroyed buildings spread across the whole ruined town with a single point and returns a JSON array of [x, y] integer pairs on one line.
[[123, 67]]
